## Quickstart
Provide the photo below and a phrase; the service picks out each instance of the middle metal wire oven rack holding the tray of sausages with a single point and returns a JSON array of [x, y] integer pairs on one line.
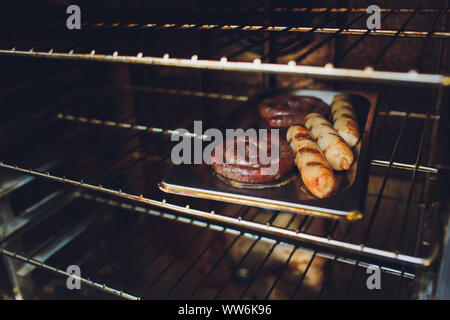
[[128, 130]]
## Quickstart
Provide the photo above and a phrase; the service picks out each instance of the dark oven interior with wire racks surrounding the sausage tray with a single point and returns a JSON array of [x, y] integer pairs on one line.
[[85, 133]]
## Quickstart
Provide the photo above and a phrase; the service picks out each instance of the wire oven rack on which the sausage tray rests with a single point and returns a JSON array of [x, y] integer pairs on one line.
[[297, 234]]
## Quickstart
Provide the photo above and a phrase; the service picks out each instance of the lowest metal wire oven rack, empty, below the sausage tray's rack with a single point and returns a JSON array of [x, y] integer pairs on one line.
[[144, 262]]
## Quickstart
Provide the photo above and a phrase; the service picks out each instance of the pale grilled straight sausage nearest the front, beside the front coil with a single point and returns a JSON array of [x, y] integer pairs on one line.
[[315, 170]]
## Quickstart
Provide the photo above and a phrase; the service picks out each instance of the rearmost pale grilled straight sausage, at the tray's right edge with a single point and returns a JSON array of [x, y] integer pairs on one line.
[[344, 119]]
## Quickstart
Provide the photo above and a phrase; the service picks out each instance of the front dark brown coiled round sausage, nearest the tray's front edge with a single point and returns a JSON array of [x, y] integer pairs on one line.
[[247, 166]]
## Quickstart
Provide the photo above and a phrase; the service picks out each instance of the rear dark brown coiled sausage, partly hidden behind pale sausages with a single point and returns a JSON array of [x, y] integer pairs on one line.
[[286, 110]]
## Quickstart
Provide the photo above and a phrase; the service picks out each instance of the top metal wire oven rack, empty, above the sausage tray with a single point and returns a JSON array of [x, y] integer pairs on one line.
[[102, 45]]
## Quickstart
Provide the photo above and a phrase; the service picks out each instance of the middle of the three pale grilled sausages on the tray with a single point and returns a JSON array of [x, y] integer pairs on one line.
[[336, 151]]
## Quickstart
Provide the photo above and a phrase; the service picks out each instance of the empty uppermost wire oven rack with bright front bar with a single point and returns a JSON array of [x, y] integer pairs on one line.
[[100, 42]]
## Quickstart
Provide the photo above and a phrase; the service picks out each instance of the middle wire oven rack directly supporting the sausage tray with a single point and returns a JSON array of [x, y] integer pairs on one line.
[[298, 233]]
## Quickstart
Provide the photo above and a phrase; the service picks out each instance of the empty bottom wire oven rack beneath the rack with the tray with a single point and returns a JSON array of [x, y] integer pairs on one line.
[[150, 274]]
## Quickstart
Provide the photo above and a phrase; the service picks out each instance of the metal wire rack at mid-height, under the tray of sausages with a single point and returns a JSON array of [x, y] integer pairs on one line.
[[220, 217]]
